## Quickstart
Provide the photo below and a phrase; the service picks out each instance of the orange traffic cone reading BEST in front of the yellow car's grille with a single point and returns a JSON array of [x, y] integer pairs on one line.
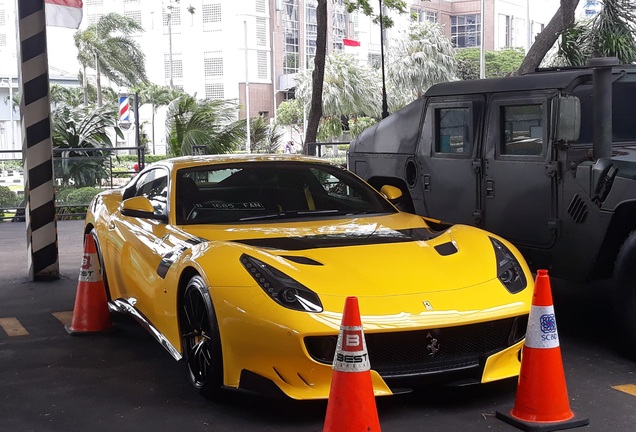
[[351, 405]]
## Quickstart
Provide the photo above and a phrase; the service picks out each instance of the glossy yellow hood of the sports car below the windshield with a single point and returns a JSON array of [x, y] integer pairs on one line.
[[371, 256]]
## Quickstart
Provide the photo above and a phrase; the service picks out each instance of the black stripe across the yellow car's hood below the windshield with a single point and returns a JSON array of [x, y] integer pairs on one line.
[[383, 236]]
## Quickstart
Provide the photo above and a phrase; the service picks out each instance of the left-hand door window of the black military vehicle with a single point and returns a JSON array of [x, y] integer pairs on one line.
[[453, 126]]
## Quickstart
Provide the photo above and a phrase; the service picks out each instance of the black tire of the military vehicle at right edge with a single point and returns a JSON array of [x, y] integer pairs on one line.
[[624, 294]]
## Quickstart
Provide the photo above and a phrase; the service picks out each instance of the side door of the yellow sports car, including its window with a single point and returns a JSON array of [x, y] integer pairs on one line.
[[141, 241]]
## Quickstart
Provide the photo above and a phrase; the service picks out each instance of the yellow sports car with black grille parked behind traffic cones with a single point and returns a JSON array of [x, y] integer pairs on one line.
[[240, 265]]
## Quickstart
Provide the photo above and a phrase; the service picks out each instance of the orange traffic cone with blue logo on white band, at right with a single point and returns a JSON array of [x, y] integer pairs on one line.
[[542, 402]]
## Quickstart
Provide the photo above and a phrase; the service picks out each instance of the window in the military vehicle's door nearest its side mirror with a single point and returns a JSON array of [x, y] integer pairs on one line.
[[522, 130]]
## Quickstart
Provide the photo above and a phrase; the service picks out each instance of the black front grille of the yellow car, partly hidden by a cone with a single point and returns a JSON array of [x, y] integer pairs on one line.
[[409, 353]]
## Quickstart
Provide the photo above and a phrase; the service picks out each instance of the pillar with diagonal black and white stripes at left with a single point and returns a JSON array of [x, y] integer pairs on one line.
[[42, 256]]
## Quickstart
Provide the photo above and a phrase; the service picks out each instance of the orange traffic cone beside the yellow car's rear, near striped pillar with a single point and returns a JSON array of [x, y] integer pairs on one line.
[[90, 313]]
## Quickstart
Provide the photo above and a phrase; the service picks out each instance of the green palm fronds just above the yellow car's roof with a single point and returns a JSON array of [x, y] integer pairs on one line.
[[210, 123]]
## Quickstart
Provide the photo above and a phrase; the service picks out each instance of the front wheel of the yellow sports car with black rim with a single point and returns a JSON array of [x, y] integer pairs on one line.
[[200, 339]]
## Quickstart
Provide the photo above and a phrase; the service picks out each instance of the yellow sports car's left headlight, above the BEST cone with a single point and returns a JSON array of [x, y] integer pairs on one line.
[[281, 288]]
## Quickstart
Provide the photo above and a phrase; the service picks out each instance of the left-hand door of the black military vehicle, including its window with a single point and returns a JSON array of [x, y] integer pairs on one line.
[[447, 151]]
